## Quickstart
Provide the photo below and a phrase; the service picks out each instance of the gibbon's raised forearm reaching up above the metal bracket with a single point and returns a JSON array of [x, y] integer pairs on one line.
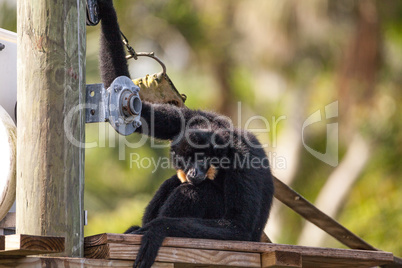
[[112, 58]]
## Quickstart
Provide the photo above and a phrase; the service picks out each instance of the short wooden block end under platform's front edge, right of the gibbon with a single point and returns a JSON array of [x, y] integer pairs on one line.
[[281, 259]]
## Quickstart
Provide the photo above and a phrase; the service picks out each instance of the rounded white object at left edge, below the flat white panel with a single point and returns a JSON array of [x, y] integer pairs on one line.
[[8, 142]]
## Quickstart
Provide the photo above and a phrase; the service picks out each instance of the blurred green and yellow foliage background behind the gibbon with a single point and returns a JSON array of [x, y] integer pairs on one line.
[[276, 58]]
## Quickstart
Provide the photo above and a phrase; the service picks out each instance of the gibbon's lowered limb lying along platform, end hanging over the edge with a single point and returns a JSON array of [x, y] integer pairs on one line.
[[239, 223]]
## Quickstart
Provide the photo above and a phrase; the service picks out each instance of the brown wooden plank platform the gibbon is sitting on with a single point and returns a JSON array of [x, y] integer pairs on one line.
[[203, 252]]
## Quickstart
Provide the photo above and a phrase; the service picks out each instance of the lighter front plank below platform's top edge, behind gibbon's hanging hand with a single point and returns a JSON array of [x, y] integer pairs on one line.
[[178, 255]]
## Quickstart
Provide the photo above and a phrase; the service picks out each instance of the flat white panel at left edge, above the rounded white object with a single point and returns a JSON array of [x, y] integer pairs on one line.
[[8, 72]]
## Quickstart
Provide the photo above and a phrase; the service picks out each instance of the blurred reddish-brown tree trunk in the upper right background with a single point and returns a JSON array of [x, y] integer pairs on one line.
[[358, 72]]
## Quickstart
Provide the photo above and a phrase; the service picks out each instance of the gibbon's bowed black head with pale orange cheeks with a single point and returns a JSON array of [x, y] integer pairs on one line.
[[196, 154]]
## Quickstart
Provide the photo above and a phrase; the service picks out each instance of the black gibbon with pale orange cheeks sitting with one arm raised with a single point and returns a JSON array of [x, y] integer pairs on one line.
[[223, 187]]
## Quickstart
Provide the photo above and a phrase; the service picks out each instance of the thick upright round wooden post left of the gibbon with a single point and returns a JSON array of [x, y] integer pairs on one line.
[[51, 82]]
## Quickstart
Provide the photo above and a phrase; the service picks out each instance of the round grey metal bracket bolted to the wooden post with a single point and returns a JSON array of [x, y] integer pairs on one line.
[[120, 105]]
